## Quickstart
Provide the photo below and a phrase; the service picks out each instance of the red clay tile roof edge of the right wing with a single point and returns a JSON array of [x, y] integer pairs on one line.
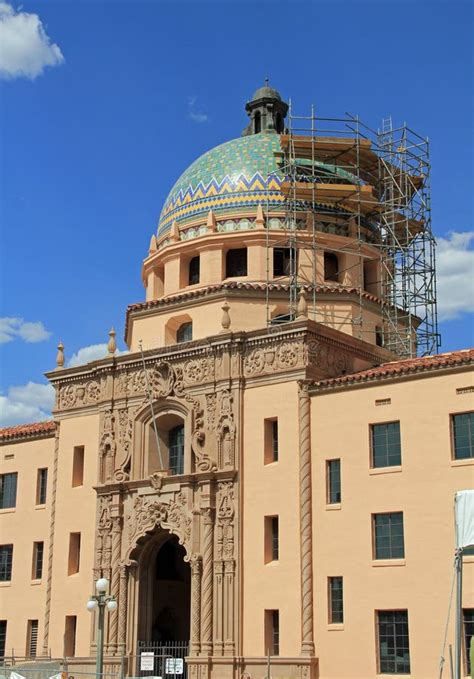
[[407, 366]]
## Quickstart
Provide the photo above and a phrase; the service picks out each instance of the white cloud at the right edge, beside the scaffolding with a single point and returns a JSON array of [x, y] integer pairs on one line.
[[455, 269]]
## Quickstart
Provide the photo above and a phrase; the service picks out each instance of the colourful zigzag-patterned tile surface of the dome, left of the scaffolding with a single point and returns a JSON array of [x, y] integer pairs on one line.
[[238, 174]]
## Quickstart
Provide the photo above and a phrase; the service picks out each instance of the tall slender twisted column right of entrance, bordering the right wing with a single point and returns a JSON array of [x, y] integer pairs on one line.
[[307, 634]]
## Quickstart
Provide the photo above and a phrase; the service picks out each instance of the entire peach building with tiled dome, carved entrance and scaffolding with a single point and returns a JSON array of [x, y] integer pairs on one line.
[[248, 477]]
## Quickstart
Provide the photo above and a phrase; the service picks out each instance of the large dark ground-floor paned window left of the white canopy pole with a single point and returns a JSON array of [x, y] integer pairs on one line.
[[393, 642]]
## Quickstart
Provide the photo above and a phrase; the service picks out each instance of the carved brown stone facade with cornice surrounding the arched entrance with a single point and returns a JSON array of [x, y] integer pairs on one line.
[[138, 504]]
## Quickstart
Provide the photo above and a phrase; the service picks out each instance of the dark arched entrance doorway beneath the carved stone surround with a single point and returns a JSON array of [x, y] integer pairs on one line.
[[164, 602]]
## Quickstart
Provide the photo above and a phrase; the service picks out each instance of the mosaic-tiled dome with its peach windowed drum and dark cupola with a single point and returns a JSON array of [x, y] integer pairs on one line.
[[225, 222]]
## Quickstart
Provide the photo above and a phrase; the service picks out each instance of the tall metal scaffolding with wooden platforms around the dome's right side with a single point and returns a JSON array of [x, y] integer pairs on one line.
[[339, 177]]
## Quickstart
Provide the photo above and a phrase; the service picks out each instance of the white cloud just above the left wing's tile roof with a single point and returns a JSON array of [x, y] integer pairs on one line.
[[30, 402]]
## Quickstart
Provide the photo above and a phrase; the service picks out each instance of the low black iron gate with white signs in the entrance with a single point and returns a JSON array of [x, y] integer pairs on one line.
[[163, 659]]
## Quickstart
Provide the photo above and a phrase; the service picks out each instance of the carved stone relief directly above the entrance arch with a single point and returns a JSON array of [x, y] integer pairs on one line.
[[149, 513]]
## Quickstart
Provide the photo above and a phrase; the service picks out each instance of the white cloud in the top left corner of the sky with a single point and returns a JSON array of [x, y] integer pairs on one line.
[[26, 49]]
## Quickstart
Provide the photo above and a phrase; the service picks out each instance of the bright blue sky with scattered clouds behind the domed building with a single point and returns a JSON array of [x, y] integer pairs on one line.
[[117, 98]]
